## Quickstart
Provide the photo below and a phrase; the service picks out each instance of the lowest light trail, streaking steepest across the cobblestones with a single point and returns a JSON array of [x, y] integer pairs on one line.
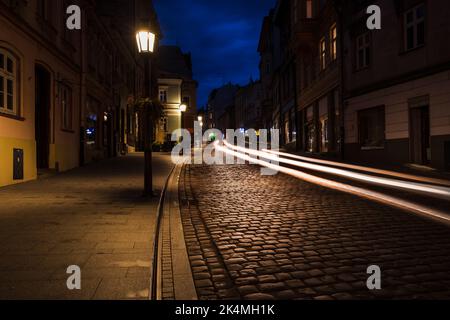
[[368, 194]]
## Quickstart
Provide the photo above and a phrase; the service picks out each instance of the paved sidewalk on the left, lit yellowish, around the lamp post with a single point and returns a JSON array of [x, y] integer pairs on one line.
[[93, 217]]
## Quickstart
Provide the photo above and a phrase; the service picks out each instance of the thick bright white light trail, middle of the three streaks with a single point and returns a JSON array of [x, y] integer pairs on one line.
[[435, 191]]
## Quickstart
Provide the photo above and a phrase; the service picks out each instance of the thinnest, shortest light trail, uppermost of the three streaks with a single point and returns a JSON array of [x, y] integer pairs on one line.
[[361, 168]]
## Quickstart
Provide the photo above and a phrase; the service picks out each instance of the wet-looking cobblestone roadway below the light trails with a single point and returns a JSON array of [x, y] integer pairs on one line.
[[277, 237]]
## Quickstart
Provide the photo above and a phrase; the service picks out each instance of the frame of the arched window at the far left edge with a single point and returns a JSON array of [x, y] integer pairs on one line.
[[14, 77]]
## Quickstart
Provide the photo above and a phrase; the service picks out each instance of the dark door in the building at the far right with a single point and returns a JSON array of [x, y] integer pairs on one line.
[[420, 135]]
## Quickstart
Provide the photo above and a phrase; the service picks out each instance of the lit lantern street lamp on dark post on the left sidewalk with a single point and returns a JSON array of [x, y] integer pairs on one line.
[[146, 45]]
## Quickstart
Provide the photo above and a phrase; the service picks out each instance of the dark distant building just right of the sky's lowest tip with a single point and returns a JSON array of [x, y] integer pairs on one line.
[[220, 108]]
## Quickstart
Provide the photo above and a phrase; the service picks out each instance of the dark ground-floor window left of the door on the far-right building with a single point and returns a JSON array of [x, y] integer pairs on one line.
[[372, 128]]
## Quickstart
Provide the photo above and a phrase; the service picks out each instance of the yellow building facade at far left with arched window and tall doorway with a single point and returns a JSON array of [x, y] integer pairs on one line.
[[39, 96]]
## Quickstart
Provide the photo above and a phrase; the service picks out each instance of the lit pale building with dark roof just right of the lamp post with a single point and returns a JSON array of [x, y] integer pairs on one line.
[[176, 86]]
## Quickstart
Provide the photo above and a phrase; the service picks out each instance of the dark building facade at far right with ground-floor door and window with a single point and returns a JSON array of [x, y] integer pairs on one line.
[[397, 84]]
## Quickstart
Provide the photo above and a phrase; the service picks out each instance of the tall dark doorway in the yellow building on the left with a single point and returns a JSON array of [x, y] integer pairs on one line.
[[42, 116]]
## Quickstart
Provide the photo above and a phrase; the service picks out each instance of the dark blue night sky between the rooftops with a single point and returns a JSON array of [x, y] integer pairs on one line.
[[221, 35]]
